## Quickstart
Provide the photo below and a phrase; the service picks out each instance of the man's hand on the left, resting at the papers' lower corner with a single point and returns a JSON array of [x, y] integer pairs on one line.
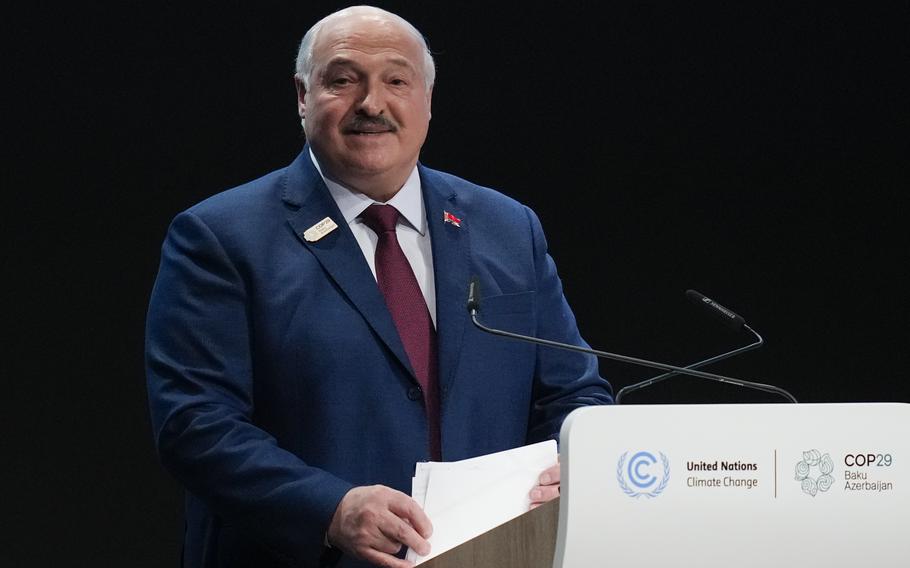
[[374, 522]]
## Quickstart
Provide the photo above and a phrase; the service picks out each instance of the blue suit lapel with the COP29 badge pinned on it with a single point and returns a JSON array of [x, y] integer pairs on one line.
[[338, 251]]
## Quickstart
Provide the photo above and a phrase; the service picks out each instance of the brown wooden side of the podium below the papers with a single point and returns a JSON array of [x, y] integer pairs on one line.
[[527, 541]]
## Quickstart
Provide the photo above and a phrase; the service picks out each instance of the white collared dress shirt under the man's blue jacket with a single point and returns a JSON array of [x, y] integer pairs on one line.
[[412, 232]]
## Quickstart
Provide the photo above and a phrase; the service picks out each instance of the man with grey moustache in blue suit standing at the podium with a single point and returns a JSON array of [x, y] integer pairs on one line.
[[307, 337]]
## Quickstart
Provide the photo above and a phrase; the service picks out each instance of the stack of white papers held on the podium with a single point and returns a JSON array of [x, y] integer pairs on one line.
[[465, 499]]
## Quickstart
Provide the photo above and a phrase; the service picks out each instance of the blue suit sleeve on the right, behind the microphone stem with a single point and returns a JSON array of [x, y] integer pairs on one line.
[[565, 380]]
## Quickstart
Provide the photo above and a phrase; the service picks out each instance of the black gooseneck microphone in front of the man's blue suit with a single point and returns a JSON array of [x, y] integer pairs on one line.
[[473, 306]]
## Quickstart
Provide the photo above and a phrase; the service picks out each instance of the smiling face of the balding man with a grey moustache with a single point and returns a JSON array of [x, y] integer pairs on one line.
[[367, 109]]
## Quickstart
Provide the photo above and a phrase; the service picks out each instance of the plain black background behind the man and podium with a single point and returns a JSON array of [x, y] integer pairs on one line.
[[756, 153]]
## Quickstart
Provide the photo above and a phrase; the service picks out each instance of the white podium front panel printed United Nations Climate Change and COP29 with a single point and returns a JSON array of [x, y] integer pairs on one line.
[[801, 485]]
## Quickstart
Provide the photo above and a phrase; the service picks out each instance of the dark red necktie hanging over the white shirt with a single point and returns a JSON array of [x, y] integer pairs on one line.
[[409, 311]]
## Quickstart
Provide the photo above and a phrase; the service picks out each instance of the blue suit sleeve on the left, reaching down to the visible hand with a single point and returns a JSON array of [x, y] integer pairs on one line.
[[200, 377]]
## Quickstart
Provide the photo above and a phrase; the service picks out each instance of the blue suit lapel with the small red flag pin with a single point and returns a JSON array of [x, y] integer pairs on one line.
[[451, 265]]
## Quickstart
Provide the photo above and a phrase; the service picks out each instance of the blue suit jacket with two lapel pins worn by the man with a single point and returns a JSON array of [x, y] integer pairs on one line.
[[277, 380]]
